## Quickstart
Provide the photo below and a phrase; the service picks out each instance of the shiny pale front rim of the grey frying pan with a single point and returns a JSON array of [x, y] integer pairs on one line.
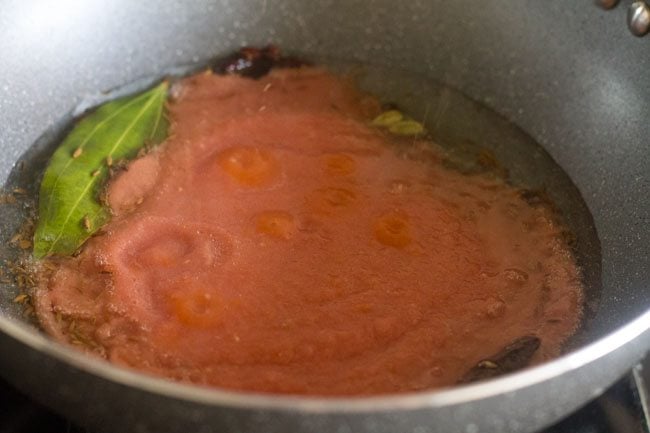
[[626, 335]]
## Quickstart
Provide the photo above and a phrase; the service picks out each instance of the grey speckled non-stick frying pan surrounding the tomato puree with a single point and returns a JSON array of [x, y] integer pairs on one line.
[[568, 74]]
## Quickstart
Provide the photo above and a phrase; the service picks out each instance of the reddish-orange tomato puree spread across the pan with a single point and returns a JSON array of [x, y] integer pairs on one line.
[[277, 242]]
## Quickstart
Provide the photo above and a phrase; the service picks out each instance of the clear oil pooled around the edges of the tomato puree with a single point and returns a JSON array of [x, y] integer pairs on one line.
[[462, 126]]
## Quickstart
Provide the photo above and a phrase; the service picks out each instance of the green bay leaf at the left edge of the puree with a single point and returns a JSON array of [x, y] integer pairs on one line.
[[69, 209]]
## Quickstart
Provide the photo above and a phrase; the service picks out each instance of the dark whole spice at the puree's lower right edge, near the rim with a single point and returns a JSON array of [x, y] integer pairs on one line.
[[513, 357]]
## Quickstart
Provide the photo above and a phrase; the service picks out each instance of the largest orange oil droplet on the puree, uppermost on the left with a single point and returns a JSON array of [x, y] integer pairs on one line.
[[250, 166]]
